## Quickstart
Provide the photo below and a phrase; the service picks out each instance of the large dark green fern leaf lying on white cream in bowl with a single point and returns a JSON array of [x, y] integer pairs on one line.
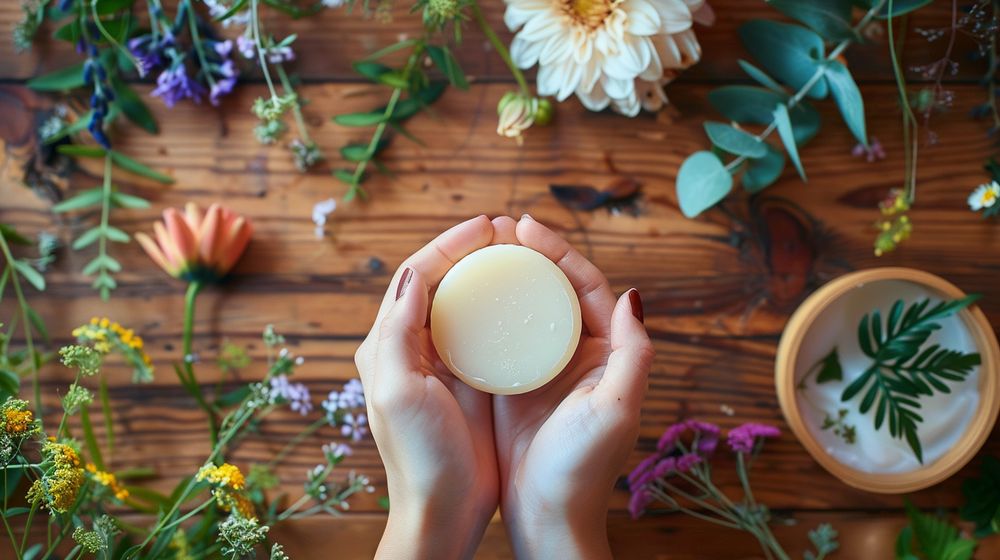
[[902, 370]]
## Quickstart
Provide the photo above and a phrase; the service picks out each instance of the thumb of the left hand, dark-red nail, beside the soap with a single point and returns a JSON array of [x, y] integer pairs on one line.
[[397, 356]]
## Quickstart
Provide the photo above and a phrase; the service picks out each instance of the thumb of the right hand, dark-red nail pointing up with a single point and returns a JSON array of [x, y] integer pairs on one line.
[[627, 373]]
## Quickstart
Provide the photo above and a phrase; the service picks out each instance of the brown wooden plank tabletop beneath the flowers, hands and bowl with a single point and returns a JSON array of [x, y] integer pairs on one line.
[[717, 290]]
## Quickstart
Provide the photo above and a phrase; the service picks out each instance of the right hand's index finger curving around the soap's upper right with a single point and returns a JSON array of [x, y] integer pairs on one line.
[[596, 299]]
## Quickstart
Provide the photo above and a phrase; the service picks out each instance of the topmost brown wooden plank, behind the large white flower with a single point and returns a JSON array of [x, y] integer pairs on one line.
[[344, 37]]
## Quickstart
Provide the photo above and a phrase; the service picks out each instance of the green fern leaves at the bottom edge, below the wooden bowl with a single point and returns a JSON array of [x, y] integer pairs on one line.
[[934, 537]]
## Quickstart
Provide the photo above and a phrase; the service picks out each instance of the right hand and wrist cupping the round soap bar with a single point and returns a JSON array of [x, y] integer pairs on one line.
[[561, 447]]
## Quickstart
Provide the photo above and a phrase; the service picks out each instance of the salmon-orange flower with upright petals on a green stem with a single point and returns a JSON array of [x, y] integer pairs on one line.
[[196, 246]]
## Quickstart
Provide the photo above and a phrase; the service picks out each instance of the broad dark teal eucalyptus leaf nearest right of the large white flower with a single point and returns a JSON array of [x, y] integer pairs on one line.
[[789, 52]]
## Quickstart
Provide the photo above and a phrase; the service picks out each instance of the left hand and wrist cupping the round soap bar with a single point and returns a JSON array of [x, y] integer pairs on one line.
[[435, 433]]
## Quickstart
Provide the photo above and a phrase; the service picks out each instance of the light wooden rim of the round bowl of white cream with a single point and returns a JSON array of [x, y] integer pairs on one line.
[[979, 427]]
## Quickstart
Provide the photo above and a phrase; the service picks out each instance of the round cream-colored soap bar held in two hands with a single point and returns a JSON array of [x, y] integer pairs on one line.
[[505, 319]]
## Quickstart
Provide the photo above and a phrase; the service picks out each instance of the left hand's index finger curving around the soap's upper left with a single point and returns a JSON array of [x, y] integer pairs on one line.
[[437, 257]]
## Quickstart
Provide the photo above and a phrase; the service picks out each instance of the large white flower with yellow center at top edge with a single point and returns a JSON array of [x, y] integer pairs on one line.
[[608, 52]]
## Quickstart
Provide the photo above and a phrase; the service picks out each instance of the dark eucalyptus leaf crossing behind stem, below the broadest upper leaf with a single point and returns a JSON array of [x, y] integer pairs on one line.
[[754, 105]]
